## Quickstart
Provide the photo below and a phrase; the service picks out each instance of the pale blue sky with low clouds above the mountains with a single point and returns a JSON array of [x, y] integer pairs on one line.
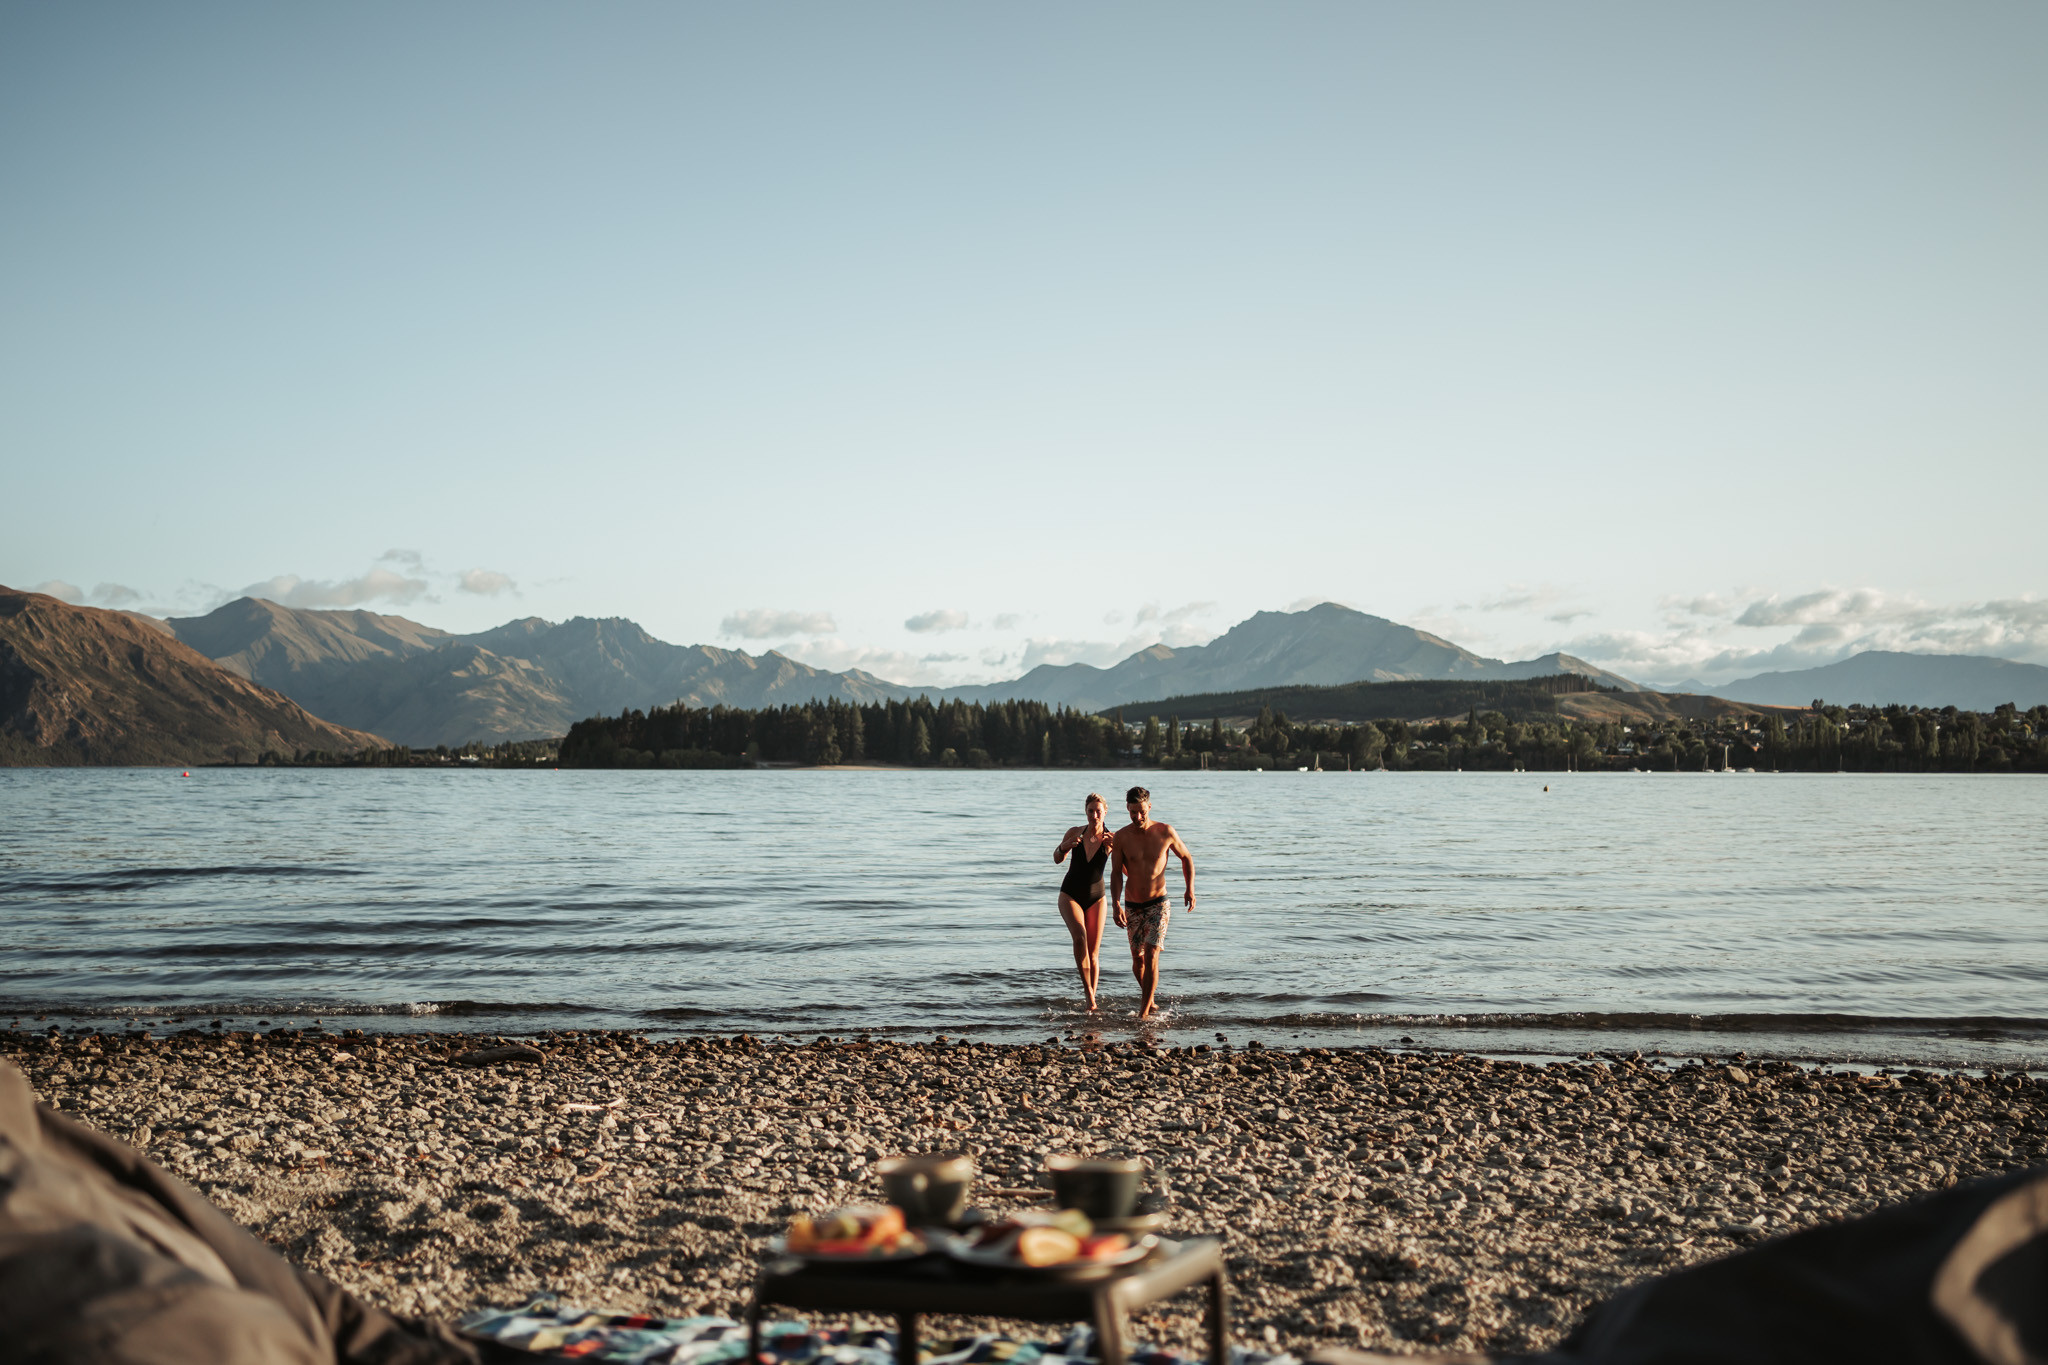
[[949, 341]]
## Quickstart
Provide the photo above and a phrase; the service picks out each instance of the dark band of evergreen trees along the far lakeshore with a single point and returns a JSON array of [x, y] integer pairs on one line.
[[923, 734]]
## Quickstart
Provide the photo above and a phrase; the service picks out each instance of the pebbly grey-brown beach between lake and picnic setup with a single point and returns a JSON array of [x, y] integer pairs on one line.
[[1367, 1198]]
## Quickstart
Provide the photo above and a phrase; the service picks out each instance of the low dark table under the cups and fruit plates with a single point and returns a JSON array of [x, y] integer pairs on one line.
[[949, 1288]]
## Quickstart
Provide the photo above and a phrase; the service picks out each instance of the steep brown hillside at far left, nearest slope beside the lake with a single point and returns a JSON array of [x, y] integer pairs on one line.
[[87, 687]]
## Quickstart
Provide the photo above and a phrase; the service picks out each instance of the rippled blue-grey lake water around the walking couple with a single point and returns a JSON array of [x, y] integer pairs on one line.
[[1828, 918]]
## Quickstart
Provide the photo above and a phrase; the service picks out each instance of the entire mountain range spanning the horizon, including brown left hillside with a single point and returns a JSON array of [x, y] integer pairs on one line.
[[95, 687]]
